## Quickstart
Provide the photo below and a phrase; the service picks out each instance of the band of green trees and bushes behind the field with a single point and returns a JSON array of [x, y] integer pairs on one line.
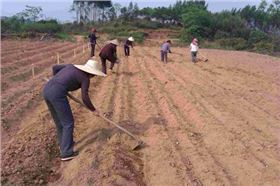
[[254, 28]]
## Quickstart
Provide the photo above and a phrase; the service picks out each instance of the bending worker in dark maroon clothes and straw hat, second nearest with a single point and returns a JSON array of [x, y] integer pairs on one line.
[[109, 52]]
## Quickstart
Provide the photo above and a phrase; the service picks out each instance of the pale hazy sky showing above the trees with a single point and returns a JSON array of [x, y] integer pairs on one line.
[[59, 9]]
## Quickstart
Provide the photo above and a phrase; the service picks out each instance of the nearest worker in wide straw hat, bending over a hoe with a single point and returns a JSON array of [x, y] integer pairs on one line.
[[68, 78]]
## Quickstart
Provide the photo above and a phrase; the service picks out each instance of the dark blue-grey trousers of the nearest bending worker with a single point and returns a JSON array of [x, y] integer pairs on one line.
[[57, 102]]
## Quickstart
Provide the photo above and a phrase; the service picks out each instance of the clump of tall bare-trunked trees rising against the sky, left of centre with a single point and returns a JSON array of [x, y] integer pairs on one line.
[[87, 11]]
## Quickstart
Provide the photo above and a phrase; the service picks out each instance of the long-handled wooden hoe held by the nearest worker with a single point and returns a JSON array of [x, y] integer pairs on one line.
[[138, 141]]
